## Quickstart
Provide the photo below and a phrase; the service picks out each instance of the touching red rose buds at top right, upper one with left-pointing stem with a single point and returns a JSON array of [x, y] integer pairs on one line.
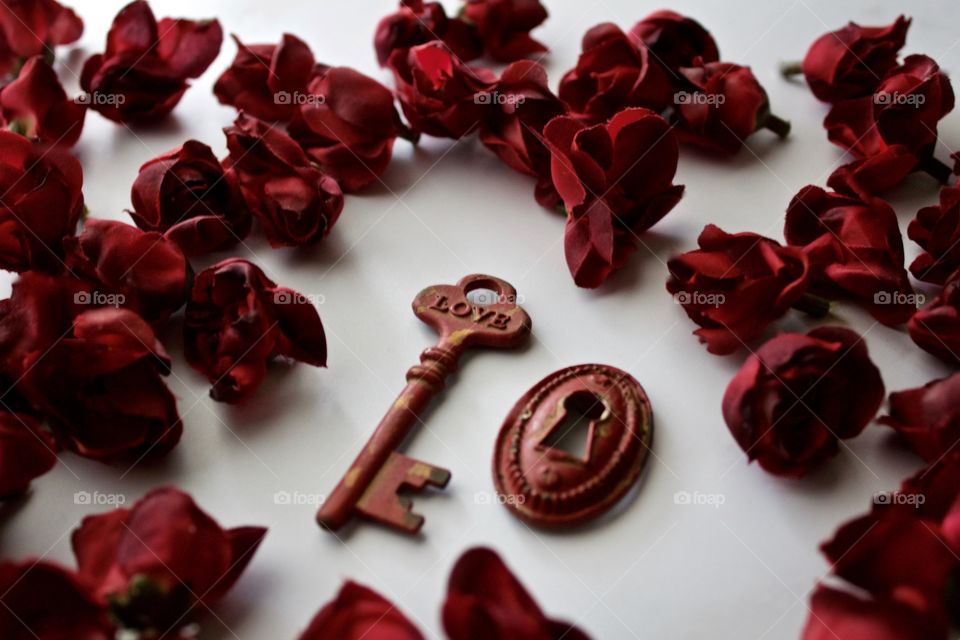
[[884, 112]]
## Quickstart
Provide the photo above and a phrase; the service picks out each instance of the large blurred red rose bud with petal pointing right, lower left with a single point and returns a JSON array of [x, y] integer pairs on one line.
[[154, 563]]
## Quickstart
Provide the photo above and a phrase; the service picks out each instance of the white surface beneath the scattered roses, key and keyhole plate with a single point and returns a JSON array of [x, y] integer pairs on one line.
[[657, 570]]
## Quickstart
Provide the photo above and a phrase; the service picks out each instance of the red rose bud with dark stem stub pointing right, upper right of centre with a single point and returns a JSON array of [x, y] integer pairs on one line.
[[722, 106]]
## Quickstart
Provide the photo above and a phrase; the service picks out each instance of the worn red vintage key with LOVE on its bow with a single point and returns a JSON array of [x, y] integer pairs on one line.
[[370, 488]]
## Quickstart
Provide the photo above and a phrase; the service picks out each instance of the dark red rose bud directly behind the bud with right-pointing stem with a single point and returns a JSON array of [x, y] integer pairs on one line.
[[674, 40]]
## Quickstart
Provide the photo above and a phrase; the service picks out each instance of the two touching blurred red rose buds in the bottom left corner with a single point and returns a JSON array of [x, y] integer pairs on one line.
[[145, 570]]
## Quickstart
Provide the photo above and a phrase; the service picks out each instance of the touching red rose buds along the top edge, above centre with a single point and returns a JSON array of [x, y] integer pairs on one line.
[[499, 29]]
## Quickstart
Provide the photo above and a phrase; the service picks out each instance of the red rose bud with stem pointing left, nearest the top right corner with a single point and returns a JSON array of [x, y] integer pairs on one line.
[[852, 61]]
